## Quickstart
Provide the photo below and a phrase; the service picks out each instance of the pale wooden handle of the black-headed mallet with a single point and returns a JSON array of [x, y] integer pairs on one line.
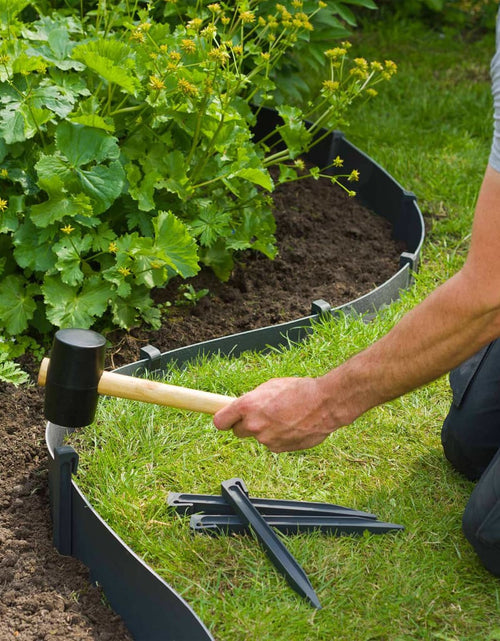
[[140, 389]]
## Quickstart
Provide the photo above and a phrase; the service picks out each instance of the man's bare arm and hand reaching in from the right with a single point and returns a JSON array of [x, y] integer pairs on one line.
[[451, 324]]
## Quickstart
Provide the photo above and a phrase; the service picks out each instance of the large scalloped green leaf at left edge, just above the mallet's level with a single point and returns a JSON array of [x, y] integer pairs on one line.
[[17, 304]]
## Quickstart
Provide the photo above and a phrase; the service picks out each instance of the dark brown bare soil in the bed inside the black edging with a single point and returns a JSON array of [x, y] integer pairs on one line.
[[329, 247]]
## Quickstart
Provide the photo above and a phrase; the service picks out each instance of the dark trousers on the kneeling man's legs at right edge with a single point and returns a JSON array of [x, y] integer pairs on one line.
[[471, 442]]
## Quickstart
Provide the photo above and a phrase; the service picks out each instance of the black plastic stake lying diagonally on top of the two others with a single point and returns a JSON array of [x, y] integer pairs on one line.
[[235, 493]]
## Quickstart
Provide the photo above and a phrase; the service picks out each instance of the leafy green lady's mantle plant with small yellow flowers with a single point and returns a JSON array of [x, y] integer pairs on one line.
[[126, 148]]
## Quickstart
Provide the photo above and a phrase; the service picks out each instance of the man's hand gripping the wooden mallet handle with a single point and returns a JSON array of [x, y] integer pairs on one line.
[[284, 414]]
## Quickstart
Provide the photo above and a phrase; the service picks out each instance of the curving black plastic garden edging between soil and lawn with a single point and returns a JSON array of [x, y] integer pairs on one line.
[[149, 607]]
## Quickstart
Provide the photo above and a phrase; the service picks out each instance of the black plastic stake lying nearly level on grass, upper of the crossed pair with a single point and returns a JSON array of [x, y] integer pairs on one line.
[[186, 504]]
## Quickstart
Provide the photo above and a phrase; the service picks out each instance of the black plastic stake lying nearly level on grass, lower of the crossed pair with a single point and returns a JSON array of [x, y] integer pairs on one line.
[[217, 524]]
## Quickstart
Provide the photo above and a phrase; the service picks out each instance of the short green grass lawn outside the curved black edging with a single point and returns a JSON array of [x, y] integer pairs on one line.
[[430, 127]]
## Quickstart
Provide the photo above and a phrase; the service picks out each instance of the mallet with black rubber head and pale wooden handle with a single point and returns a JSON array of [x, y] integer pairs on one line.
[[74, 377]]
